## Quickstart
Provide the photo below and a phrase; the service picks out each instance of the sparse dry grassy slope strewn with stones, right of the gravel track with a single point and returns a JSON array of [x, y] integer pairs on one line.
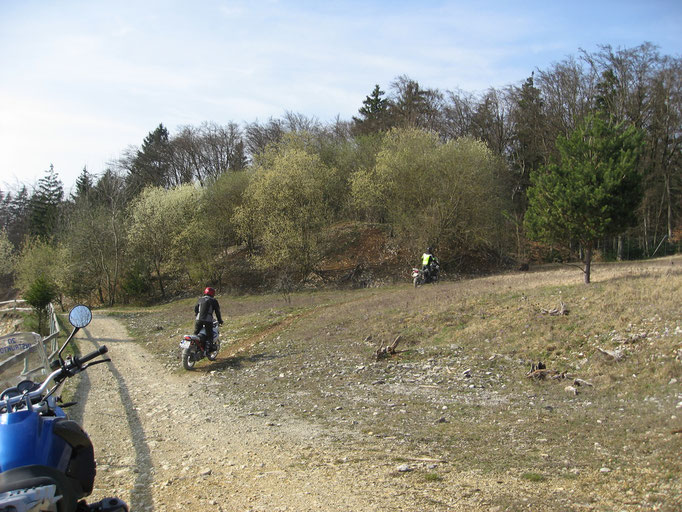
[[456, 401]]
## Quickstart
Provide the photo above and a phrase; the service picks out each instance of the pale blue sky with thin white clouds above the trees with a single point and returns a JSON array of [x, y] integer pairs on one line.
[[80, 80]]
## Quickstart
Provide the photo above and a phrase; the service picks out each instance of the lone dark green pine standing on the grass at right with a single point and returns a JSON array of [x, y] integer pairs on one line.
[[591, 192]]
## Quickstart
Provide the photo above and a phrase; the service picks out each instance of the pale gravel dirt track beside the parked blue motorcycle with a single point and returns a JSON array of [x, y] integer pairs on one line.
[[165, 441]]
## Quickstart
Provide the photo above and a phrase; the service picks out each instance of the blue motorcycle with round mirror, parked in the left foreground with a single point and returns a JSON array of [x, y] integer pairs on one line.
[[47, 461]]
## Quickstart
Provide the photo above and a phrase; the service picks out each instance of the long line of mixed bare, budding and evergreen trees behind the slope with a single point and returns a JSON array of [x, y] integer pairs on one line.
[[214, 203]]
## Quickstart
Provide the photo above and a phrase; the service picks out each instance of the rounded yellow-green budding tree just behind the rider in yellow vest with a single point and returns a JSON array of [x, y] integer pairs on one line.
[[431, 192]]
